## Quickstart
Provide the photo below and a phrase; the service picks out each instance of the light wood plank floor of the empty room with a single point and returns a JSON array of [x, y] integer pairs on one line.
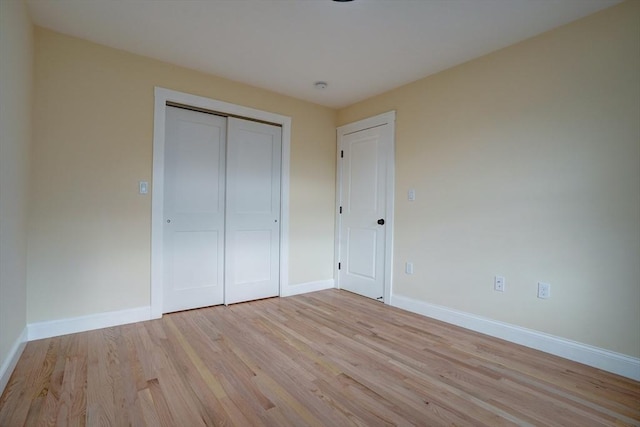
[[328, 358]]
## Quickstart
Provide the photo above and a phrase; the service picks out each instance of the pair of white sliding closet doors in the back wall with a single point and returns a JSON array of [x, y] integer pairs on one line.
[[221, 209]]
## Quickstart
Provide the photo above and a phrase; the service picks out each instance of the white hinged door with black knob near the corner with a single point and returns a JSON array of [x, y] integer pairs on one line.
[[365, 163]]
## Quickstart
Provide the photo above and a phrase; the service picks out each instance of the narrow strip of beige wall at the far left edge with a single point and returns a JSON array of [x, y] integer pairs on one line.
[[16, 71]]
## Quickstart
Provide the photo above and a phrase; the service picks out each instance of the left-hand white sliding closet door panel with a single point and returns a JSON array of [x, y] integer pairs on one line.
[[194, 194]]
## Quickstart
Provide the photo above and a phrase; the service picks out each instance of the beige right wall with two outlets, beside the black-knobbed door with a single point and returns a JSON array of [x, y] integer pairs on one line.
[[526, 163]]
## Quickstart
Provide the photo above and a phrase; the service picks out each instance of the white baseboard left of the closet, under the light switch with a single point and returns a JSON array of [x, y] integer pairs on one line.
[[54, 328]]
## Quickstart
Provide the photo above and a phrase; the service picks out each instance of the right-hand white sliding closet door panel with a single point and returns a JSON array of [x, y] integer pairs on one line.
[[253, 211]]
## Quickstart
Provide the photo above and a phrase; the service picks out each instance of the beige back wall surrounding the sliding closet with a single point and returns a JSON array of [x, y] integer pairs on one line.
[[89, 239]]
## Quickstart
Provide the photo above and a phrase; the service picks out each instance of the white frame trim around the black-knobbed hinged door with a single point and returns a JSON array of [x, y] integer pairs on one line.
[[388, 118]]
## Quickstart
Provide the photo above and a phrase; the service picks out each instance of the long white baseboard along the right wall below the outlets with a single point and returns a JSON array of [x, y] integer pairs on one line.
[[606, 360]]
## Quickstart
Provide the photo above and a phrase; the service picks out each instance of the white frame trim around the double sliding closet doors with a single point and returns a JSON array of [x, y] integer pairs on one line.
[[162, 96]]
